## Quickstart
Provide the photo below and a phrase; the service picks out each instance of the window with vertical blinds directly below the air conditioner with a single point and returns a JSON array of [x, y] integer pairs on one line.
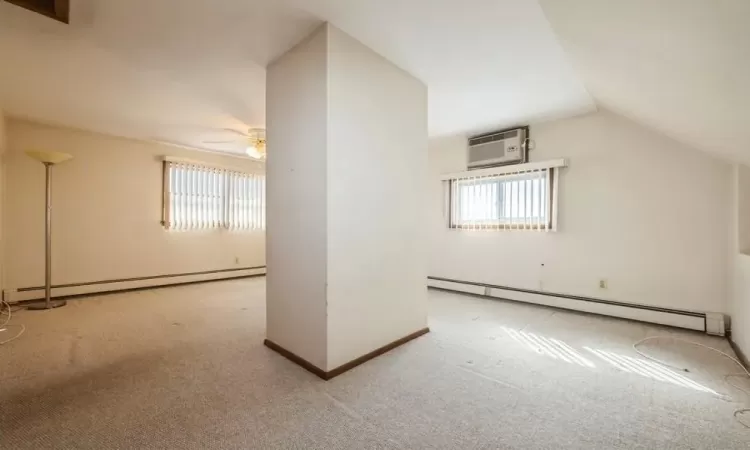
[[503, 198]]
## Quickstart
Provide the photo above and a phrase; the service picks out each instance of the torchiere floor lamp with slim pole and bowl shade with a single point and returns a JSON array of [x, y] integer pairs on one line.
[[49, 159]]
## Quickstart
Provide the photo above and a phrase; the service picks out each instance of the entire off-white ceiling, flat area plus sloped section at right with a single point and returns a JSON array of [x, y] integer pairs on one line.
[[183, 70]]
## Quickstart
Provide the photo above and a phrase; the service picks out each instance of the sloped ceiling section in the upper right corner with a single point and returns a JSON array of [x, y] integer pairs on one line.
[[681, 67]]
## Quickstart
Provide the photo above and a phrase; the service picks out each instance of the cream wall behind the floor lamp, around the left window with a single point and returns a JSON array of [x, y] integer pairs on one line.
[[107, 205]]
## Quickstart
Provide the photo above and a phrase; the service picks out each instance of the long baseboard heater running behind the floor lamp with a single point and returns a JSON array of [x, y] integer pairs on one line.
[[127, 284]]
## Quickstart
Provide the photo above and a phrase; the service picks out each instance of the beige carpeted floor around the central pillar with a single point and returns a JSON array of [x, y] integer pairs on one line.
[[185, 368]]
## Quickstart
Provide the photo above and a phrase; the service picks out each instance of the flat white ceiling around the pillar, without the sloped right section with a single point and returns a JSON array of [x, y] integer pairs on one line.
[[181, 70]]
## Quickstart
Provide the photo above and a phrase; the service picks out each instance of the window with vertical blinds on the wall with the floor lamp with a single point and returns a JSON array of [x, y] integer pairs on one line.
[[203, 197]]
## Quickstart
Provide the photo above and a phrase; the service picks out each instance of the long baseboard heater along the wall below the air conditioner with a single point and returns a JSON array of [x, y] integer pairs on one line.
[[690, 320]]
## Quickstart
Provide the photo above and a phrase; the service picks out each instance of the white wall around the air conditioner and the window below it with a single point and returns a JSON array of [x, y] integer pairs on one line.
[[646, 213]]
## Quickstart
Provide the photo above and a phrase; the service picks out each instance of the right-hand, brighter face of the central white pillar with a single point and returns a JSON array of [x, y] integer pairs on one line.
[[377, 167]]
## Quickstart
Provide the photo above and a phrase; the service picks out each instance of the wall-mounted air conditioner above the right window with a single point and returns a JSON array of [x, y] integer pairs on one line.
[[499, 148]]
